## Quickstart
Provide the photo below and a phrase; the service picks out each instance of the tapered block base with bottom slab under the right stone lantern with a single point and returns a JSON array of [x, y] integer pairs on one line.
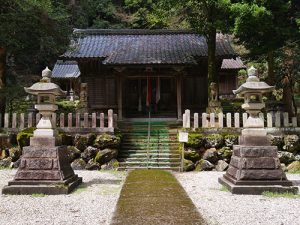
[[255, 169]]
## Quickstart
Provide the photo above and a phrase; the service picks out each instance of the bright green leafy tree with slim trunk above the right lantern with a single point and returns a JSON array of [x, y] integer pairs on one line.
[[264, 26]]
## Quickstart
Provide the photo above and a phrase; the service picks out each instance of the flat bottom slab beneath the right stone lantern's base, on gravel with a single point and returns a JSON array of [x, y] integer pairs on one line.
[[256, 189]]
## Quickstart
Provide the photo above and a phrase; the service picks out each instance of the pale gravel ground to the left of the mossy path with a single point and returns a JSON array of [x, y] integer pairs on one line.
[[92, 203]]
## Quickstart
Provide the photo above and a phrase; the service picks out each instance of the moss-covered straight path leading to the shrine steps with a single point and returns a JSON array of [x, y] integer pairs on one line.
[[154, 197]]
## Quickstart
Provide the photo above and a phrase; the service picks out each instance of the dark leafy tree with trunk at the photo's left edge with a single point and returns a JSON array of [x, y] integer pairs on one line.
[[33, 33]]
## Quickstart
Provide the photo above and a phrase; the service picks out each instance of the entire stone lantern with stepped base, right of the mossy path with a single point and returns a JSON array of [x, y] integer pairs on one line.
[[254, 166]]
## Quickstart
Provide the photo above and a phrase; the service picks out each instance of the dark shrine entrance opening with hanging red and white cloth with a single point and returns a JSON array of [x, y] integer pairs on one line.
[[158, 94]]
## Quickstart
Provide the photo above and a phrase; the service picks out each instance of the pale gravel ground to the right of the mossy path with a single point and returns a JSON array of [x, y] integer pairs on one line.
[[221, 207]]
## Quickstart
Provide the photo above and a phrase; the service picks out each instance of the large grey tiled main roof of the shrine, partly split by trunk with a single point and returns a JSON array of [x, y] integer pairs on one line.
[[144, 46]]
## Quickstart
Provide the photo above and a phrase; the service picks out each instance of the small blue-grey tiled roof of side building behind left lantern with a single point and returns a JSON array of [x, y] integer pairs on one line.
[[67, 69]]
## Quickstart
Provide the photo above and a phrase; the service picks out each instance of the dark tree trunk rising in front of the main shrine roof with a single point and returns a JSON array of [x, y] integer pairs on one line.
[[211, 57]]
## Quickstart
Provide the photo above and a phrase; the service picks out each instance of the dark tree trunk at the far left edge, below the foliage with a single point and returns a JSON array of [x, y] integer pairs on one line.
[[2, 79]]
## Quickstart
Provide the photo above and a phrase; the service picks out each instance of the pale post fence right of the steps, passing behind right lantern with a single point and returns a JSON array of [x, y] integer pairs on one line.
[[236, 120]]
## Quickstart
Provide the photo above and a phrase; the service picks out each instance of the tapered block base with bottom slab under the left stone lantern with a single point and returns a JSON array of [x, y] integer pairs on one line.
[[43, 171]]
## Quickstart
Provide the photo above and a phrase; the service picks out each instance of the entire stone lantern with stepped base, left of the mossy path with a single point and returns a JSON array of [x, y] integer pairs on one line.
[[44, 166]]
